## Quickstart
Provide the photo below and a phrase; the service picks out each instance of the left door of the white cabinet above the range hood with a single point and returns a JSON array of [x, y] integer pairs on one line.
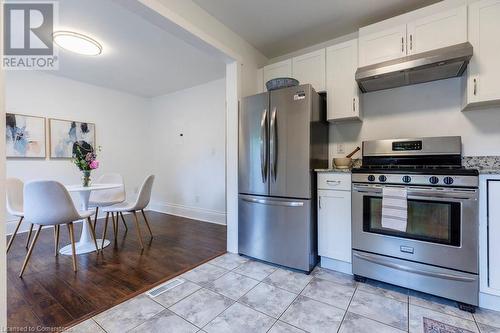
[[383, 45]]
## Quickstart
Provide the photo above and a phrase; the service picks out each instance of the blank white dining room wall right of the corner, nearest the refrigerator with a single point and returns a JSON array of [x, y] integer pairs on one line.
[[192, 166]]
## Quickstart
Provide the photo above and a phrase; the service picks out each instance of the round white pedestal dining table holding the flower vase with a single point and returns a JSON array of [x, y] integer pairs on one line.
[[86, 243]]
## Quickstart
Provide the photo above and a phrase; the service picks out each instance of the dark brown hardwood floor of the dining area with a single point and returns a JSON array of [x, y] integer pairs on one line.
[[50, 294]]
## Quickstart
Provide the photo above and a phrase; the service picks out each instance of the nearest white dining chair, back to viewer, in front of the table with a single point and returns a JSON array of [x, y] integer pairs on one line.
[[48, 203]]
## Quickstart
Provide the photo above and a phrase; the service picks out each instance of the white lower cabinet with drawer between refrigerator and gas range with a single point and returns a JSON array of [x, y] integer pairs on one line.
[[334, 221]]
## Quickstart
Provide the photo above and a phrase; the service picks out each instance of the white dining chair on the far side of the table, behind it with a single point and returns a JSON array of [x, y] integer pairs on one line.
[[99, 199]]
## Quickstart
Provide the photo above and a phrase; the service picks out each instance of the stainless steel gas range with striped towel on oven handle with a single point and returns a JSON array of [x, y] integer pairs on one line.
[[438, 251]]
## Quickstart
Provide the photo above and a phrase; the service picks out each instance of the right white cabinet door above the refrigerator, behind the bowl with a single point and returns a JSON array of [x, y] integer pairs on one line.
[[310, 68]]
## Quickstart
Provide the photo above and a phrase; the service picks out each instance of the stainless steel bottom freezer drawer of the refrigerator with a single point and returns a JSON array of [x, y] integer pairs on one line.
[[277, 230]]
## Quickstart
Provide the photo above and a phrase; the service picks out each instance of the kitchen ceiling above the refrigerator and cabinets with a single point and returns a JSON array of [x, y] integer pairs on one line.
[[277, 27]]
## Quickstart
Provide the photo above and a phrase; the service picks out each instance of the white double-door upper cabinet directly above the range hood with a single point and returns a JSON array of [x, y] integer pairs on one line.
[[420, 33]]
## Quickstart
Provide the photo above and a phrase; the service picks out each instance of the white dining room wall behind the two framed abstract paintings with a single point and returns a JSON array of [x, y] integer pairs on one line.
[[120, 118]]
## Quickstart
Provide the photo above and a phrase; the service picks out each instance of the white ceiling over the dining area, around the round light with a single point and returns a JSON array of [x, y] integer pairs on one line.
[[138, 57]]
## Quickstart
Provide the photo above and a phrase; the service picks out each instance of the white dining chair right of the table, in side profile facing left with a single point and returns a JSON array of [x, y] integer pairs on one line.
[[126, 207]]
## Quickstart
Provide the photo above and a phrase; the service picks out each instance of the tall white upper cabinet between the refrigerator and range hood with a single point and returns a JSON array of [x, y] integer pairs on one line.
[[342, 89]]
